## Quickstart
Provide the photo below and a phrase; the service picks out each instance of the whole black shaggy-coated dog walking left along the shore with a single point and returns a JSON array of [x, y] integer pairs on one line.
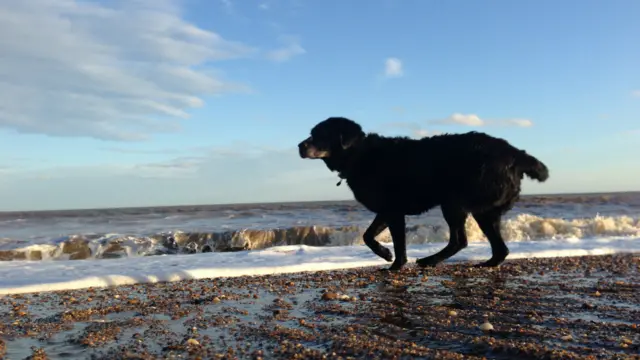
[[471, 173]]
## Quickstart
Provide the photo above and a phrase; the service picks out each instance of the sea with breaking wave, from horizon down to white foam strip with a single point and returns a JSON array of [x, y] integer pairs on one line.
[[104, 234]]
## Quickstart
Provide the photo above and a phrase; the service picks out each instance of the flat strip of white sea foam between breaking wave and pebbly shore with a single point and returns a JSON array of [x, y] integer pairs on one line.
[[35, 276]]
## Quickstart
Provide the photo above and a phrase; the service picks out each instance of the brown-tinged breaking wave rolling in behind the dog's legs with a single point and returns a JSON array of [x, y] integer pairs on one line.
[[524, 227]]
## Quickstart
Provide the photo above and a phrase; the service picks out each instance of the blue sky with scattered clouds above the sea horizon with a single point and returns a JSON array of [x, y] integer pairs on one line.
[[165, 102]]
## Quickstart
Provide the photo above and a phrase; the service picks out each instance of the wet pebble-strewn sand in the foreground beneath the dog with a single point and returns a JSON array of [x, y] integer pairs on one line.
[[562, 308]]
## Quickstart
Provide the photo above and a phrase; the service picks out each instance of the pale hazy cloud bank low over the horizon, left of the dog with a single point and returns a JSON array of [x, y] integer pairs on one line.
[[258, 176]]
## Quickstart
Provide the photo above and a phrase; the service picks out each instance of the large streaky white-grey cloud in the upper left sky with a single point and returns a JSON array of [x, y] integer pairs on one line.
[[115, 70]]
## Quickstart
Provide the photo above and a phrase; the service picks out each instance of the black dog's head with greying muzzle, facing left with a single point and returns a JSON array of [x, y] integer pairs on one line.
[[331, 137]]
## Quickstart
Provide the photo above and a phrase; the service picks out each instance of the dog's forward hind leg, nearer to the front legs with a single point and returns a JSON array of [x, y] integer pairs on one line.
[[456, 219]]
